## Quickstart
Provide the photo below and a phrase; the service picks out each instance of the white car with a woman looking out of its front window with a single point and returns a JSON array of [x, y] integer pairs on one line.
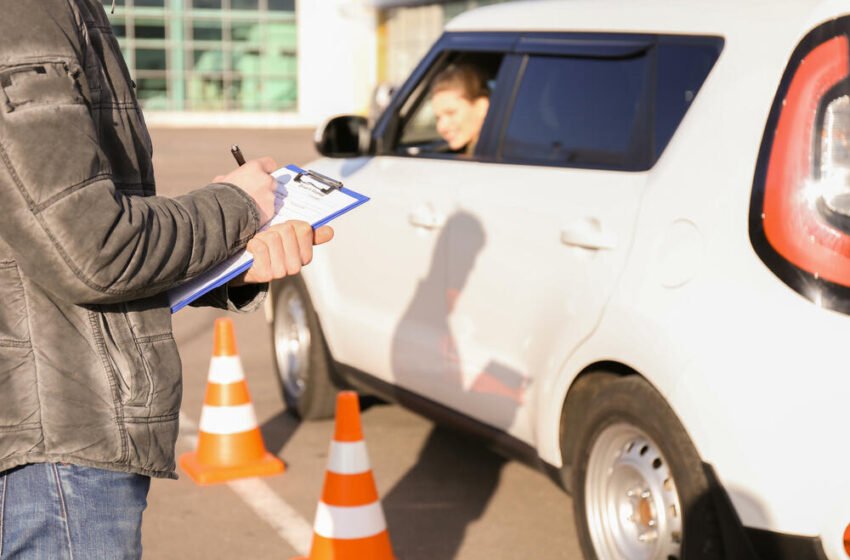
[[640, 277]]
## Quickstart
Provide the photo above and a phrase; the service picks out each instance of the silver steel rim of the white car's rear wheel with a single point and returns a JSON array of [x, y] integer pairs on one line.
[[632, 506]]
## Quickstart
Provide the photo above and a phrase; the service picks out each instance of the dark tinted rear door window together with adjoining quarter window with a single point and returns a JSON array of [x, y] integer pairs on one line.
[[605, 111]]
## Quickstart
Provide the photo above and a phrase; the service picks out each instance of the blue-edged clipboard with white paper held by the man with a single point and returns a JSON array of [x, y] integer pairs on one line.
[[302, 194]]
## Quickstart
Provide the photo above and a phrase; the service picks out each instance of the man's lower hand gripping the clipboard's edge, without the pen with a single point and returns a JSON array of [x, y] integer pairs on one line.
[[282, 250]]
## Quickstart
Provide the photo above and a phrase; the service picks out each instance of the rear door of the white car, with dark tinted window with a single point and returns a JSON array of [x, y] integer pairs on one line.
[[551, 226]]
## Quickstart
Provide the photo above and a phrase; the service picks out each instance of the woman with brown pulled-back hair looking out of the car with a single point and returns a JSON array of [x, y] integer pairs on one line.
[[460, 101]]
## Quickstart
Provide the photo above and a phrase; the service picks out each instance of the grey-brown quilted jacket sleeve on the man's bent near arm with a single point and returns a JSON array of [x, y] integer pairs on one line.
[[72, 231]]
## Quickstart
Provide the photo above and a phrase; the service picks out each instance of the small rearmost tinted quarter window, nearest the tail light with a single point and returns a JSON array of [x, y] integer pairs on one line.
[[682, 68]]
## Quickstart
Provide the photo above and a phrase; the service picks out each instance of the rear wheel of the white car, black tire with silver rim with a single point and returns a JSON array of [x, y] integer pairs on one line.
[[639, 488]]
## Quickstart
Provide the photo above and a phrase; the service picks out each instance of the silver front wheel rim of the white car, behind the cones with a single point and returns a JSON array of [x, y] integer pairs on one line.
[[291, 341]]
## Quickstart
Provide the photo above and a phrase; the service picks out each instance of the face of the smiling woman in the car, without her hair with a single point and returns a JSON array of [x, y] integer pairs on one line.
[[459, 120]]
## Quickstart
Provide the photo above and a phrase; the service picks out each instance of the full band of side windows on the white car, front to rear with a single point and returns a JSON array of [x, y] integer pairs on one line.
[[598, 101]]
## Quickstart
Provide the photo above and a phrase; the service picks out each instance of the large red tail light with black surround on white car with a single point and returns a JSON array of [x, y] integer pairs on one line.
[[800, 210]]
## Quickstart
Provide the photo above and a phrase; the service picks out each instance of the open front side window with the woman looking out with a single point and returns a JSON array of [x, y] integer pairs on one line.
[[434, 126]]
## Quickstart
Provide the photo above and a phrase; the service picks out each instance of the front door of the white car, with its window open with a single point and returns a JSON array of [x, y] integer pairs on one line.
[[383, 282]]
